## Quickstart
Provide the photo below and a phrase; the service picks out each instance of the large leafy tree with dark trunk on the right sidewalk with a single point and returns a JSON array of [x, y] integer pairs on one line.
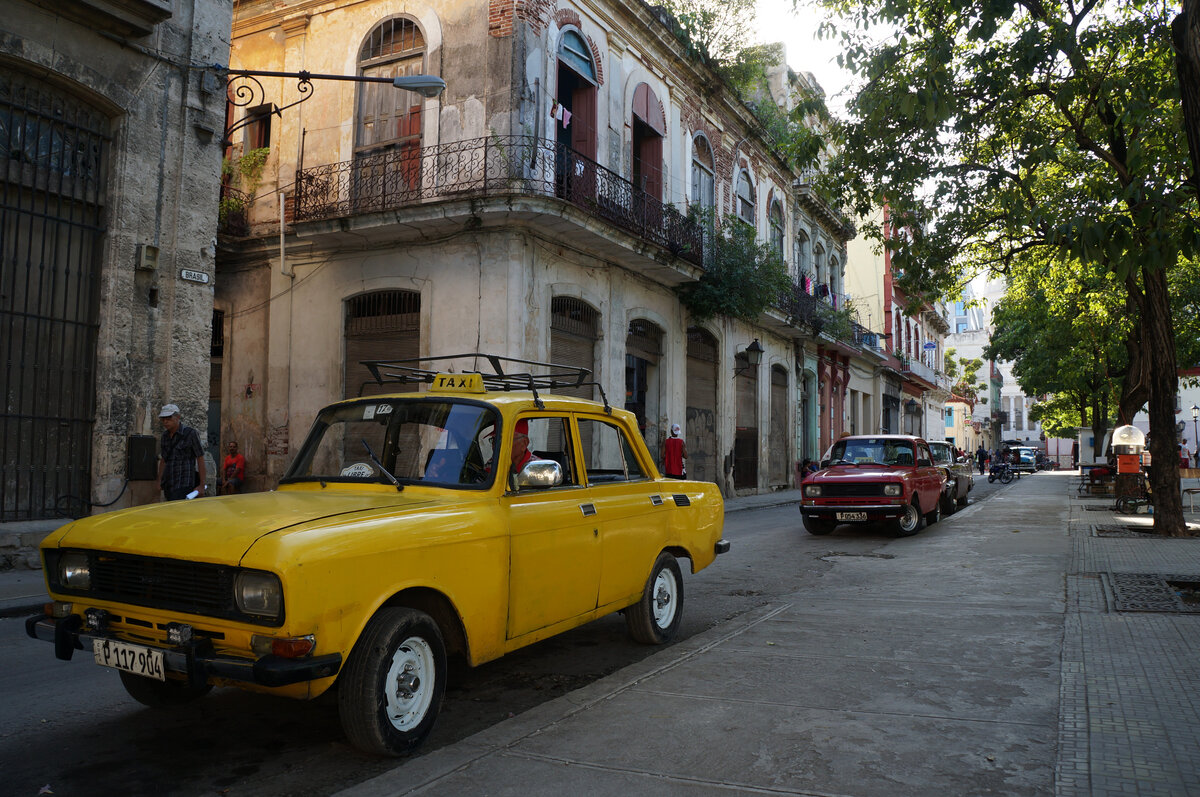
[[991, 131]]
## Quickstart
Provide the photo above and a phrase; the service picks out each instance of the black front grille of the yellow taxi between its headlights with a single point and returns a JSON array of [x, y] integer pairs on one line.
[[154, 583]]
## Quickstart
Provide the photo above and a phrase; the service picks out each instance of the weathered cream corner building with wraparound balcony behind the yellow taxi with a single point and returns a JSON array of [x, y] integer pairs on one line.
[[536, 209]]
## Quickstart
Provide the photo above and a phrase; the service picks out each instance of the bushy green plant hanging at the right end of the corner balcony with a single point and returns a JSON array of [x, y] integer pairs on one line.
[[743, 278]]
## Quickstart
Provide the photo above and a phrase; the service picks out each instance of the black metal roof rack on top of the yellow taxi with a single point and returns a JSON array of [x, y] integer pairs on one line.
[[507, 374]]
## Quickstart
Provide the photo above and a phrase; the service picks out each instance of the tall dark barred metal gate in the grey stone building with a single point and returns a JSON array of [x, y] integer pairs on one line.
[[53, 151]]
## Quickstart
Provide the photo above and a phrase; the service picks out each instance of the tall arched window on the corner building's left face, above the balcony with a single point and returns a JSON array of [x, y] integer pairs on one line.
[[391, 119]]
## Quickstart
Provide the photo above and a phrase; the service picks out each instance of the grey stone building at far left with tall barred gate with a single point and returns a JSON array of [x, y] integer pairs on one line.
[[110, 145]]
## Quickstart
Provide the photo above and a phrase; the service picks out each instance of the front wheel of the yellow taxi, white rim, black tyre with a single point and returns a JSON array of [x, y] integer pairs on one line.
[[392, 690]]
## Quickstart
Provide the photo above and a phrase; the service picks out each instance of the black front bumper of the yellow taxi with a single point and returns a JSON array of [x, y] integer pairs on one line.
[[195, 661]]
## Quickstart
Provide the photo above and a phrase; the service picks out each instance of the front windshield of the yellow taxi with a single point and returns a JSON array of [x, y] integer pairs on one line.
[[400, 441]]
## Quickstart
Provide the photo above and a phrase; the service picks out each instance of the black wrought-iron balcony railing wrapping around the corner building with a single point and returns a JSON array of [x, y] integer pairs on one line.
[[497, 166]]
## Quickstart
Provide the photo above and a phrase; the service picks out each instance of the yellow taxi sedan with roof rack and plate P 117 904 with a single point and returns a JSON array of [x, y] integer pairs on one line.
[[469, 519]]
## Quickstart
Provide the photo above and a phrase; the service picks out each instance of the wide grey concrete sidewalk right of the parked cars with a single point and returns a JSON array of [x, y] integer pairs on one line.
[[983, 656]]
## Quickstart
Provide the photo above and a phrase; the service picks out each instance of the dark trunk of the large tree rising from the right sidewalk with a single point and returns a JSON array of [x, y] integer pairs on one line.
[[1159, 347]]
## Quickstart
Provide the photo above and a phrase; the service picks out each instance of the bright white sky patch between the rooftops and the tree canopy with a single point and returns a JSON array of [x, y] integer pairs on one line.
[[777, 21]]
